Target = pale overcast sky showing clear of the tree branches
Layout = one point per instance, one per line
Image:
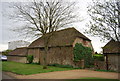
(6, 24)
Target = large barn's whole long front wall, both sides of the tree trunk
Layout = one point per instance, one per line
(56, 55)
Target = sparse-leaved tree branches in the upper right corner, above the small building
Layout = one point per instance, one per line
(105, 19)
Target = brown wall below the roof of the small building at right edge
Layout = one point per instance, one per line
(113, 61)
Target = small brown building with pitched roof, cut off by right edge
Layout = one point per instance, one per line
(112, 53)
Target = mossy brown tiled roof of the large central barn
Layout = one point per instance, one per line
(60, 38)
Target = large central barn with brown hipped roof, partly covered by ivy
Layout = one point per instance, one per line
(61, 45)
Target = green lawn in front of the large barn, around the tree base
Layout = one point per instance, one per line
(26, 69)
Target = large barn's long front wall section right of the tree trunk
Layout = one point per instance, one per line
(61, 55)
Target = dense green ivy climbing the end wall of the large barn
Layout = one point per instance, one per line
(81, 52)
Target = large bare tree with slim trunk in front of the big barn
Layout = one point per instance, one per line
(45, 17)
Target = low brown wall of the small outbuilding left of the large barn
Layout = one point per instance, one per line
(17, 59)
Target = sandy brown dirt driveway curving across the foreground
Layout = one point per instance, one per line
(71, 74)
